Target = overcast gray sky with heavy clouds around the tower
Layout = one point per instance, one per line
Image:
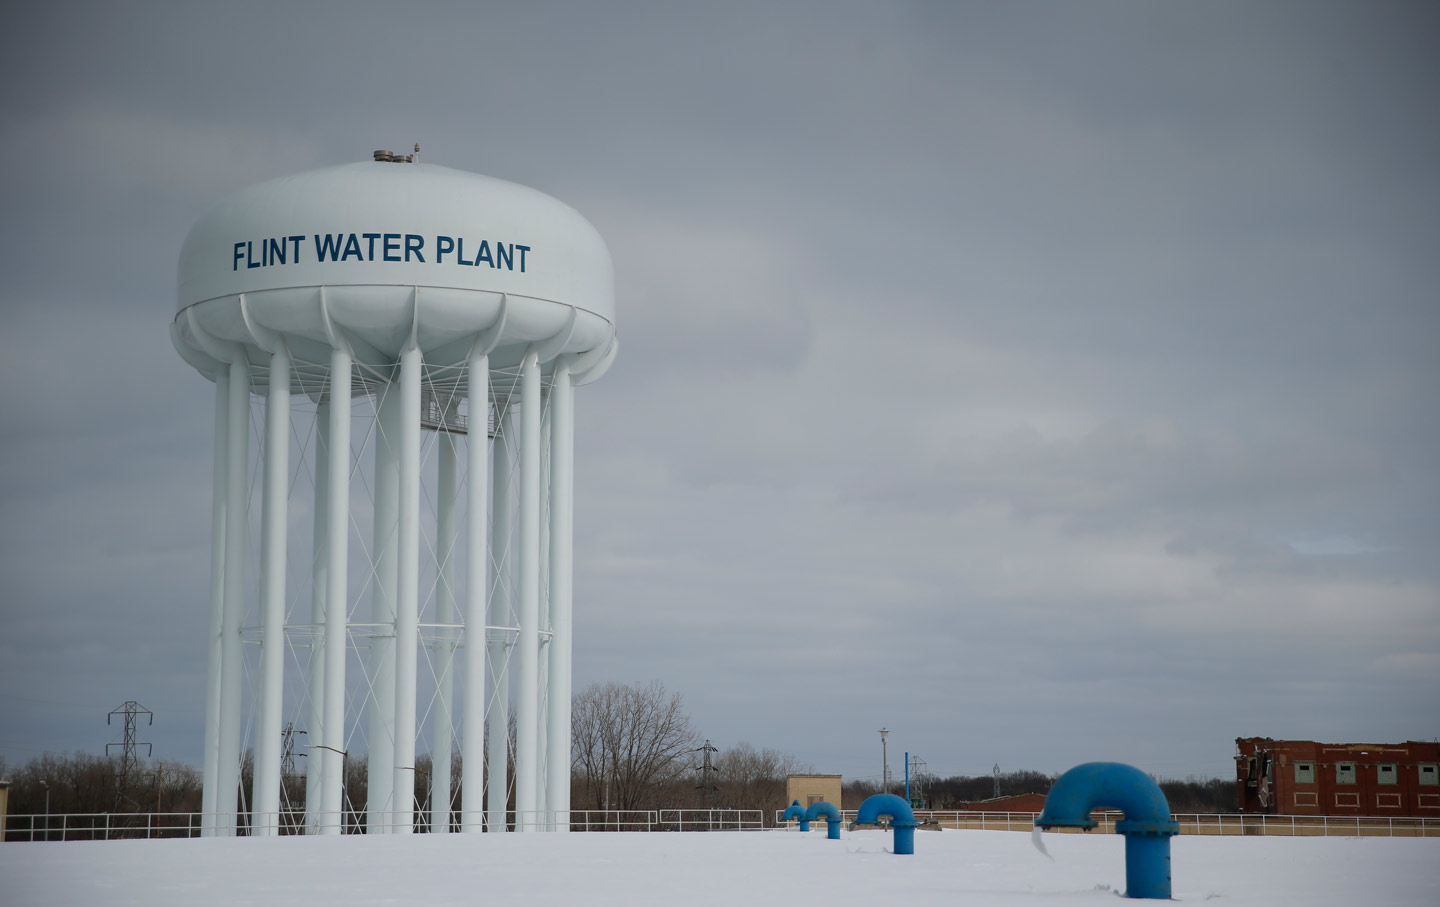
(1043, 382)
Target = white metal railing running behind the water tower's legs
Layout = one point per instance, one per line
(126, 826)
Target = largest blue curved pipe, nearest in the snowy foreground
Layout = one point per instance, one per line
(1147, 827)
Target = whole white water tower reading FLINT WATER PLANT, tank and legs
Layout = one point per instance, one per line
(411, 338)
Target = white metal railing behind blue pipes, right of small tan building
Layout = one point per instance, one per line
(1194, 824)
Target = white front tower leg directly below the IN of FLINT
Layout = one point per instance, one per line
(270, 722)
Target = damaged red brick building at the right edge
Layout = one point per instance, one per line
(1337, 780)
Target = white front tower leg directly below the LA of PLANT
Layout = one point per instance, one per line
(477, 559)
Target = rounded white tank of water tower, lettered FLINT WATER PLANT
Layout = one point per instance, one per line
(395, 253)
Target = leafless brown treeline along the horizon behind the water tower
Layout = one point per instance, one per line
(633, 749)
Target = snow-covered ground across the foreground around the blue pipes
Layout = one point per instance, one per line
(732, 869)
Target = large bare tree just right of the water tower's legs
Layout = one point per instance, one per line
(630, 744)
